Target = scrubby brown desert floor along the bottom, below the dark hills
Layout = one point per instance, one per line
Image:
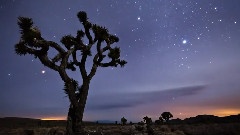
(111, 129)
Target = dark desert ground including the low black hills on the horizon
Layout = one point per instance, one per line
(200, 125)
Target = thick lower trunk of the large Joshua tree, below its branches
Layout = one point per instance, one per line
(75, 113)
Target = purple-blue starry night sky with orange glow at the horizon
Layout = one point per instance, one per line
(183, 57)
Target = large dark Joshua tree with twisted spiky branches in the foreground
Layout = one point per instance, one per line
(72, 55)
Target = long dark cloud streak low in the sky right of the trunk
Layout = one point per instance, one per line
(124, 100)
